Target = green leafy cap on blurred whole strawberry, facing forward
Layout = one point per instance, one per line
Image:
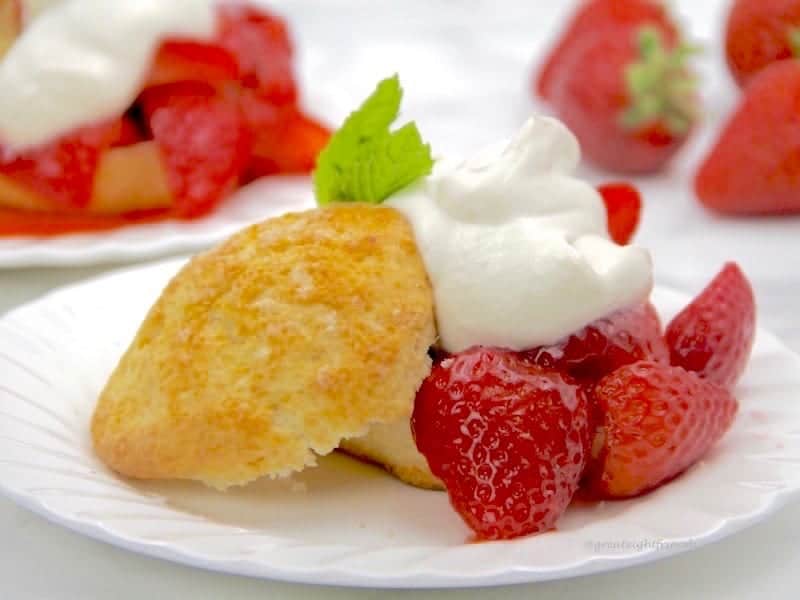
(660, 86)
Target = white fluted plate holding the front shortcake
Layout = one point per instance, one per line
(344, 522)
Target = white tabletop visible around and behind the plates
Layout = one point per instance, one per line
(465, 66)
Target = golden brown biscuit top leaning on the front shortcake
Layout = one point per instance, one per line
(270, 349)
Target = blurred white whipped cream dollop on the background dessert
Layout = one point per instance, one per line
(83, 61)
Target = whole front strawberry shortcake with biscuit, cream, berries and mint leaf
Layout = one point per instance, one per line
(470, 325)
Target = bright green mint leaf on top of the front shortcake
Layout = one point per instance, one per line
(367, 162)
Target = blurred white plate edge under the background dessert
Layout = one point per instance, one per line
(262, 199)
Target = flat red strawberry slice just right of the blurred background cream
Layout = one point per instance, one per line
(192, 61)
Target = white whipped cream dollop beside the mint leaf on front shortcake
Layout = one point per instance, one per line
(516, 248)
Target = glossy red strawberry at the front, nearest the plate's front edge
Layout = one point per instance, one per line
(507, 438)
